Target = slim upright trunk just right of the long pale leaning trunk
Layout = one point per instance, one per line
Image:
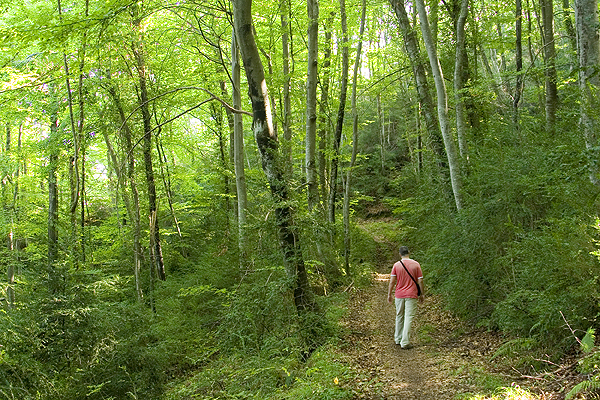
(459, 72)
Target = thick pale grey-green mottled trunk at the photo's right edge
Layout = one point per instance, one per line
(588, 52)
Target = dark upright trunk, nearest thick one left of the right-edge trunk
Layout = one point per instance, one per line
(549, 65)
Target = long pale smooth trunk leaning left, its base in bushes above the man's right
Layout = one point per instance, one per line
(453, 160)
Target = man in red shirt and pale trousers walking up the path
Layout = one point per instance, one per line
(406, 286)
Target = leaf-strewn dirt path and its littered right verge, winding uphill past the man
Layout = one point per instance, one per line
(452, 358)
